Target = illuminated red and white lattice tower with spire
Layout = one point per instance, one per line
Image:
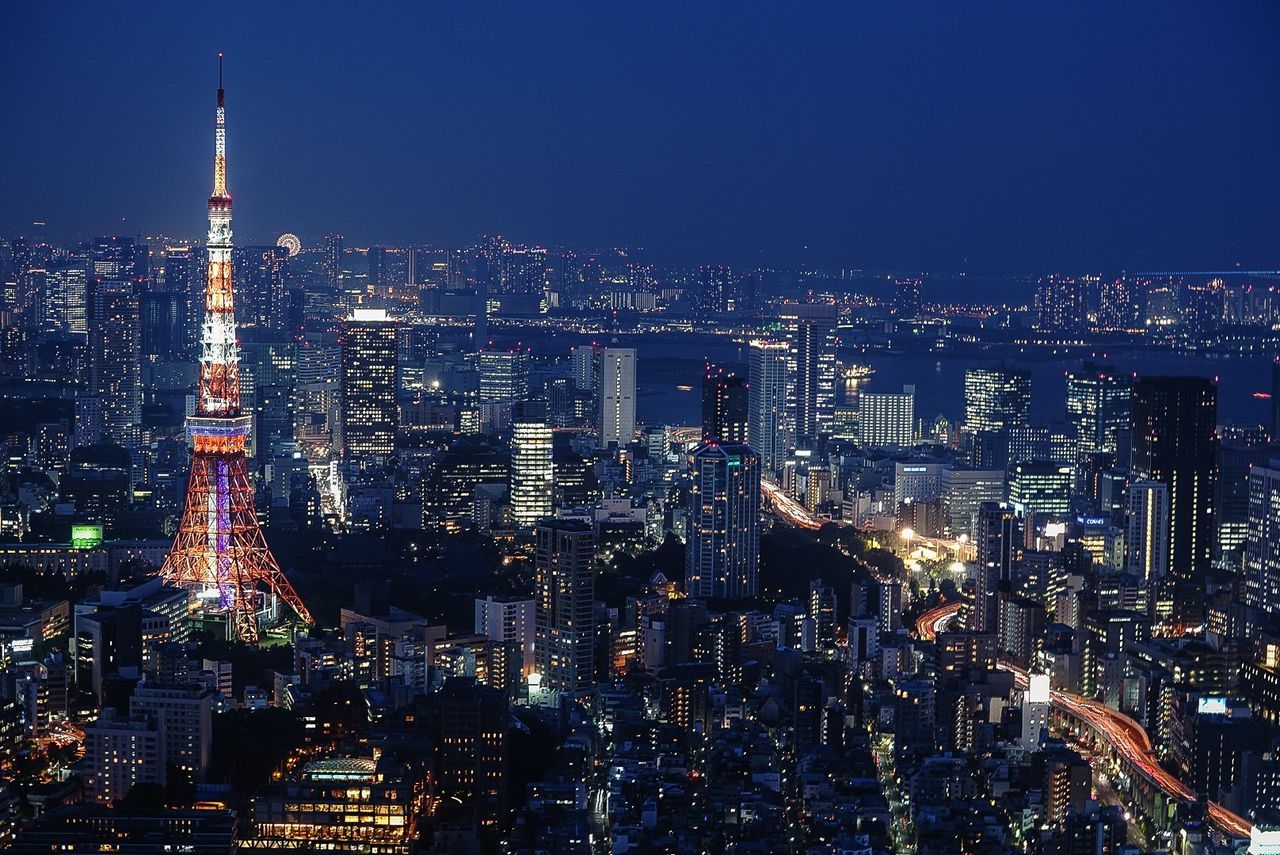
(220, 551)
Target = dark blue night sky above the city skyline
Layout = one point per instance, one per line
(947, 136)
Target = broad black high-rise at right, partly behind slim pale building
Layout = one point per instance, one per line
(1176, 443)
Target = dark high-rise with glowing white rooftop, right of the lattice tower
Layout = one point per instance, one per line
(369, 368)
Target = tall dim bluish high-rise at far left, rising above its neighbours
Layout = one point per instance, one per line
(115, 358)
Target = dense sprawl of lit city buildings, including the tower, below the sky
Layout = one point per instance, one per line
(813, 623)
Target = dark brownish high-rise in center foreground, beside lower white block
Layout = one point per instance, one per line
(565, 589)
